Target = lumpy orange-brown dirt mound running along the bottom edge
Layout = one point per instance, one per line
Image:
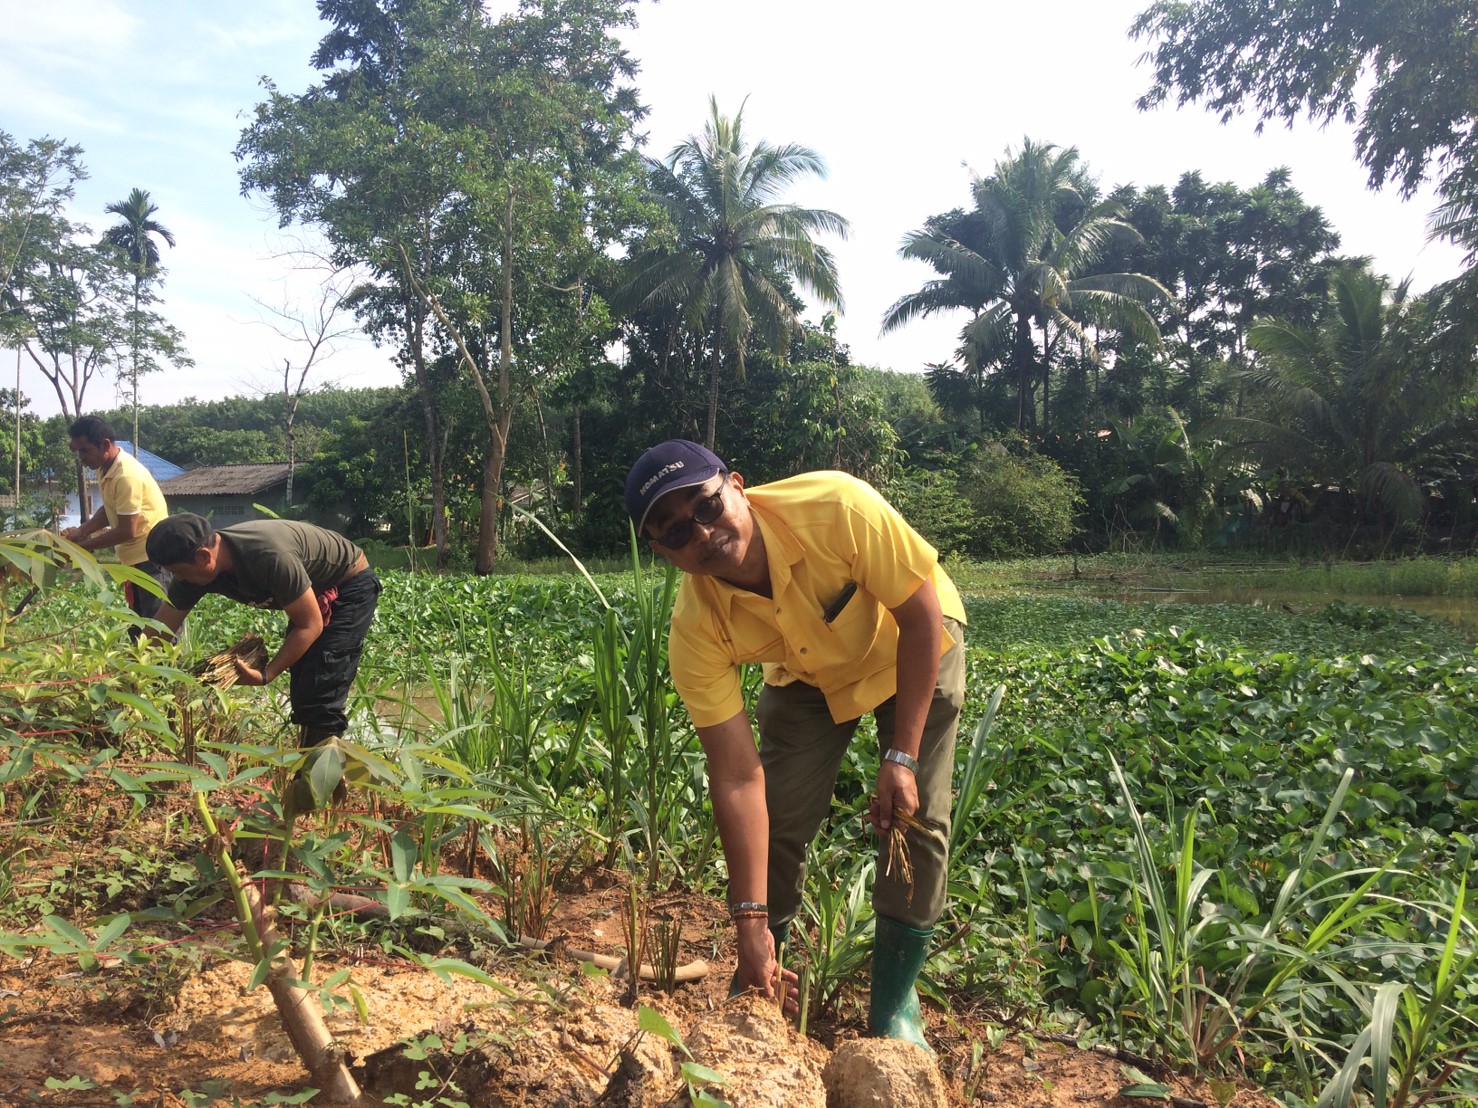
(540, 1036)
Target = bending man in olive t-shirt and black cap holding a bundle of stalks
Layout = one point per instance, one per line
(317, 577)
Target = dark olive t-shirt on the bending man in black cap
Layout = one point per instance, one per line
(274, 562)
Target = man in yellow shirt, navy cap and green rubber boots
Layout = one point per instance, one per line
(821, 581)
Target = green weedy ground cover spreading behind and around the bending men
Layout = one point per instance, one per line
(1149, 847)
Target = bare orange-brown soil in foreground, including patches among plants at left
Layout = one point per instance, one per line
(187, 1032)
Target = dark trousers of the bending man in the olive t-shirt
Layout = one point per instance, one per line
(323, 677)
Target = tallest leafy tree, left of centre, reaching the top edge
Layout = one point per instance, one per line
(478, 169)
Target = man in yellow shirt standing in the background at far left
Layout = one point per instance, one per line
(132, 505)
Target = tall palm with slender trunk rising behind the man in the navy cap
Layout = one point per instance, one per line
(737, 247)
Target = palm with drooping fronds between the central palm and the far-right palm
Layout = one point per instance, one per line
(1016, 259)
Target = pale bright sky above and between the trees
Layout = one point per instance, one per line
(902, 101)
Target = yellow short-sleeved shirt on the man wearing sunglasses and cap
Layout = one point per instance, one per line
(823, 531)
